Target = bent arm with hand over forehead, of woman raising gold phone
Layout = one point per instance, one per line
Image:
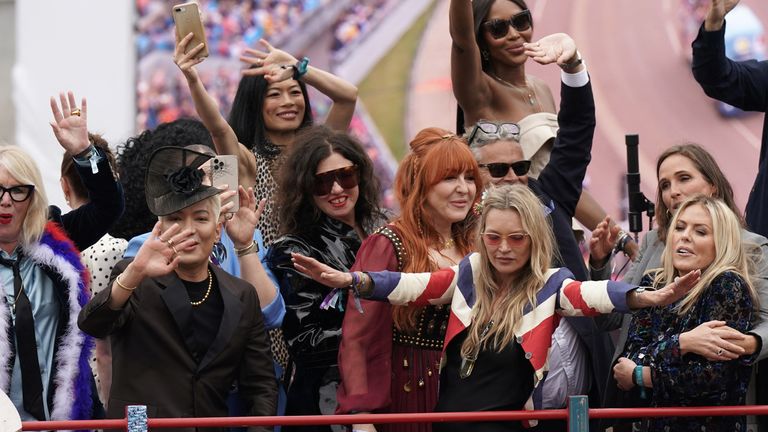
(270, 64)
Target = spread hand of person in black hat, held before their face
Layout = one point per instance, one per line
(159, 255)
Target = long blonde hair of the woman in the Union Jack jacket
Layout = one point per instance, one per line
(504, 303)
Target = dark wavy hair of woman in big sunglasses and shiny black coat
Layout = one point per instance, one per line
(298, 212)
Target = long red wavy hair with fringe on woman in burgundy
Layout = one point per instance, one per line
(435, 155)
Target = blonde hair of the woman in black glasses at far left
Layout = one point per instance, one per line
(23, 169)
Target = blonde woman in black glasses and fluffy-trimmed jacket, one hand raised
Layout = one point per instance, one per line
(44, 283)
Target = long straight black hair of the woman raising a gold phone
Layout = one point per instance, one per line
(246, 116)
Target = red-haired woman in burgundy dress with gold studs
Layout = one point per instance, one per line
(389, 356)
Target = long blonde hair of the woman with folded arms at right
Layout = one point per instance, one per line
(730, 253)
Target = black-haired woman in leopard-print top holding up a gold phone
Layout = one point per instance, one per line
(270, 106)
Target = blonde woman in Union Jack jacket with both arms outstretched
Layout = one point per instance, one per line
(505, 303)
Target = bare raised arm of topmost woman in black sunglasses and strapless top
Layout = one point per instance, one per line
(470, 87)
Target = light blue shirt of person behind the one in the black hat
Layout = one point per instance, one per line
(273, 312)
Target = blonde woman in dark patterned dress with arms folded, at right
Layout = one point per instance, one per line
(705, 234)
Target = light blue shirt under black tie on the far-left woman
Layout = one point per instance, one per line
(45, 311)
